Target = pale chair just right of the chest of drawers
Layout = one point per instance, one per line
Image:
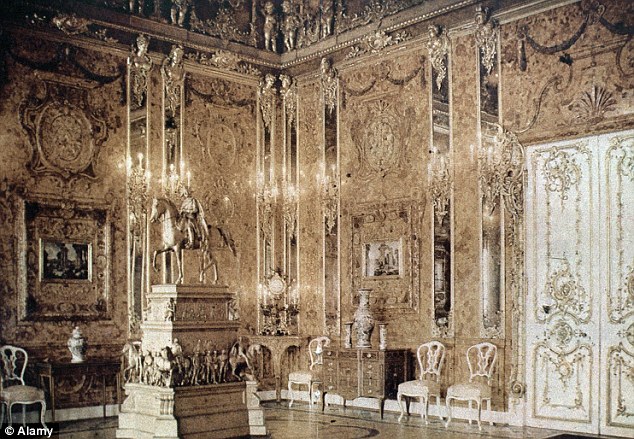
(431, 357)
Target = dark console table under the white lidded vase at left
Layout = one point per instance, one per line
(98, 368)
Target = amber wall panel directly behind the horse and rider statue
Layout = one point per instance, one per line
(220, 151)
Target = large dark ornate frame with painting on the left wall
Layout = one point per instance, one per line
(65, 263)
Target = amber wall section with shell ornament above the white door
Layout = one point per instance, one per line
(573, 92)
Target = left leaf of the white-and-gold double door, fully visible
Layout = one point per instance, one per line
(562, 309)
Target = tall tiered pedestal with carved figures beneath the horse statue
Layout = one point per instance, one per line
(175, 398)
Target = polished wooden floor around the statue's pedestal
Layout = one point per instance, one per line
(301, 422)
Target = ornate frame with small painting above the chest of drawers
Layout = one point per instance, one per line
(377, 231)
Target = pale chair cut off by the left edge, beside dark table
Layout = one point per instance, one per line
(13, 361)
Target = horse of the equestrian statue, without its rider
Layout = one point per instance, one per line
(175, 239)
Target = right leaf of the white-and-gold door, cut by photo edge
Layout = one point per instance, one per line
(617, 350)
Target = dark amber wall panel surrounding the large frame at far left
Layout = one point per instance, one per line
(63, 140)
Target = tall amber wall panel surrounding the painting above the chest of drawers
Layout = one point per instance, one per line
(383, 156)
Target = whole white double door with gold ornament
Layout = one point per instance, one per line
(580, 279)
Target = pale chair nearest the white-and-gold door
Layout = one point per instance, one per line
(484, 355)
